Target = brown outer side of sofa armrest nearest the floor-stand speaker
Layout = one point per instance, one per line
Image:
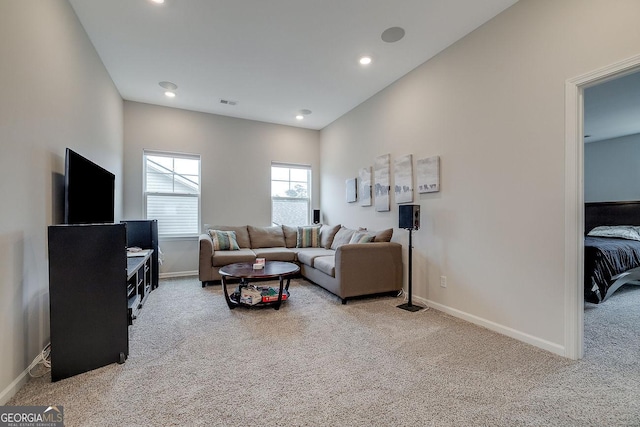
(368, 268)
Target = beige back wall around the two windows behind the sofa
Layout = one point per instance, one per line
(236, 158)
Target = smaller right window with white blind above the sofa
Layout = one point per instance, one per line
(290, 194)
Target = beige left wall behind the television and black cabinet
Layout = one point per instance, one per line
(56, 93)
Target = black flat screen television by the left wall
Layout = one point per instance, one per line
(89, 191)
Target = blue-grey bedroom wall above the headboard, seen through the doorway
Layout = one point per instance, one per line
(612, 169)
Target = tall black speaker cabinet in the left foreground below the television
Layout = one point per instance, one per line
(87, 297)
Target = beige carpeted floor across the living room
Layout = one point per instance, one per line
(317, 362)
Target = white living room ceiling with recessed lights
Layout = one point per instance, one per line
(272, 57)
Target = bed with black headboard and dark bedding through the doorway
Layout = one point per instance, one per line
(610, 262)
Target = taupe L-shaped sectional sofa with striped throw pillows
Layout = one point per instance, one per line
(346, 262)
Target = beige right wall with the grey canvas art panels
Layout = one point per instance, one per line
(492, 107)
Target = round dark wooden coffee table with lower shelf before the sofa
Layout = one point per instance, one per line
(245, 271)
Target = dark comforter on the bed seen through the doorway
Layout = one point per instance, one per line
(604, 258)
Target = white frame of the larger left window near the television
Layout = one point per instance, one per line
(173, 155)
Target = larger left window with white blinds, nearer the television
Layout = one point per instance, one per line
(172, 192)
